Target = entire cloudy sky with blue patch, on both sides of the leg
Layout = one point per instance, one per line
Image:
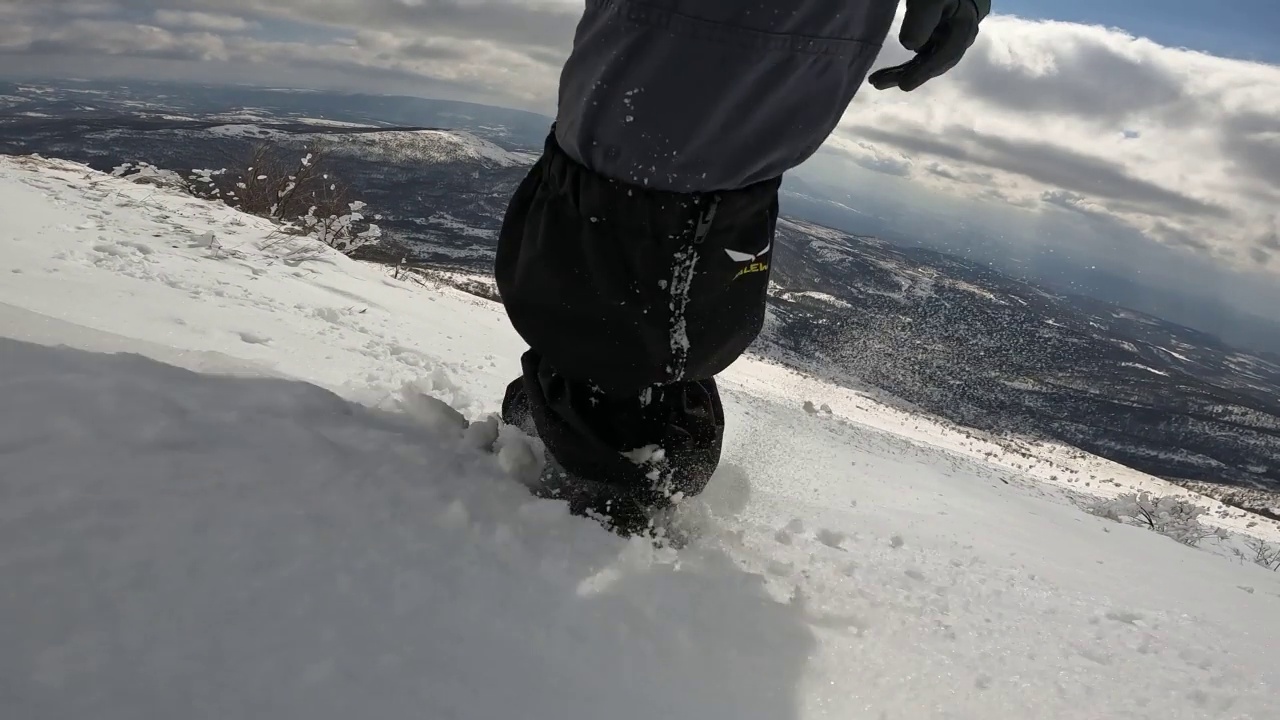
(1153, 120)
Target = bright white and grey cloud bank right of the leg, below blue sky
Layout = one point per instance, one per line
(1181, 145)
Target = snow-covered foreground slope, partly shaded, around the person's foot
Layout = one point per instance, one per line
(231, 487)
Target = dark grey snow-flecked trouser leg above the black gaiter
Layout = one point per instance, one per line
(707, 95)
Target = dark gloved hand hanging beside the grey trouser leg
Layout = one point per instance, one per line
(939, 33)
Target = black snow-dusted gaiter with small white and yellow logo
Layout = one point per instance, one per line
(632, 302)
